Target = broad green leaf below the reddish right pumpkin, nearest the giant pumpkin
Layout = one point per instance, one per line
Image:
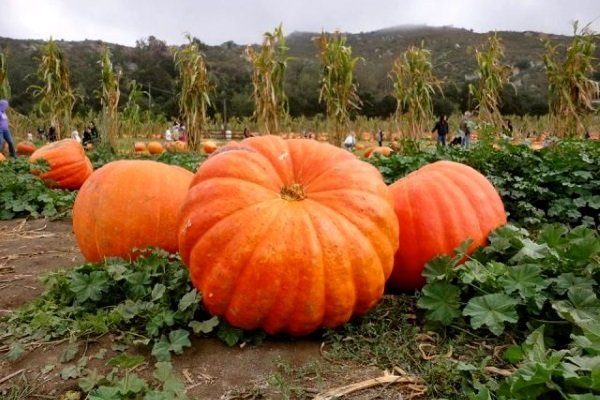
(441, 300)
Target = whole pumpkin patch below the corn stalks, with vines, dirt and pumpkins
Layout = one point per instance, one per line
(516, 318)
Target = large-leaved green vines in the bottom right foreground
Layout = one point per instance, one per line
(542, 292)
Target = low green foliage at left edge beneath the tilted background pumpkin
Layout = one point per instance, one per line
(23, 194)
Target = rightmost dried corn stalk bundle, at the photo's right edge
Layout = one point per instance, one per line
(570, 88)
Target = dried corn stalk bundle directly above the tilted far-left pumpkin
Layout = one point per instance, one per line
(56, 98)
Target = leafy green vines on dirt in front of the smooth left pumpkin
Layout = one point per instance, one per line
(149, 301)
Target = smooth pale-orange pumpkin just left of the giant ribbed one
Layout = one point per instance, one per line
(129, 204)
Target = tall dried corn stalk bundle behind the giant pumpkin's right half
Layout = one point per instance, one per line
(338, 88)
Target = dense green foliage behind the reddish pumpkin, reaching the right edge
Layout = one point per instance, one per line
(556, 184)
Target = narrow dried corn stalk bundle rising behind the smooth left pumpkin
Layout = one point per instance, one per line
(110, 98)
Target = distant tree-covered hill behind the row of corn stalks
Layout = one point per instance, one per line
(150, 62)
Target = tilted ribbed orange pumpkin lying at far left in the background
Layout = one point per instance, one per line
(69, 167)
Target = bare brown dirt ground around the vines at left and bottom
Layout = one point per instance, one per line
(211, 370)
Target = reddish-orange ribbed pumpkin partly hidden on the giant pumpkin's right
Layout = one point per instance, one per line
(438, 207)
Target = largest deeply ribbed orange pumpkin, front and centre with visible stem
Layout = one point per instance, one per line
(288, 235)
